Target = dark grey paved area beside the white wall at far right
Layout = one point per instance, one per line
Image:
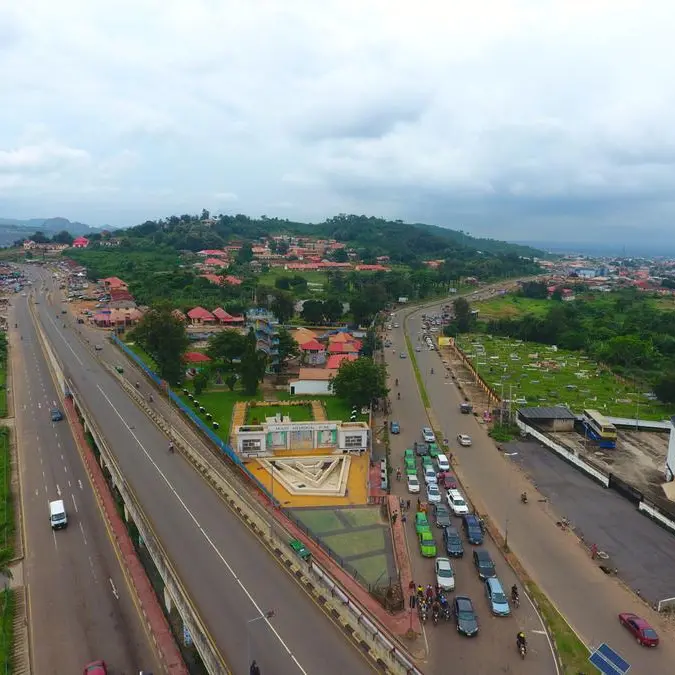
(642, 551)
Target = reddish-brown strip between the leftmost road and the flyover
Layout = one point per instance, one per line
(136, 577)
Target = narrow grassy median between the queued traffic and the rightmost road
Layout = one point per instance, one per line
(492, 531)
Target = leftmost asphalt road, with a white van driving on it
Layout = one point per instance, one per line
(75, 617)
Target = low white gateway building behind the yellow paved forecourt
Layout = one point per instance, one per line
(275, 435)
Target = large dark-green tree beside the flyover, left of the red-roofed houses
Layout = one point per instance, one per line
(164, 337)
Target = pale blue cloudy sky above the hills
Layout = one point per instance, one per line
(539, 120)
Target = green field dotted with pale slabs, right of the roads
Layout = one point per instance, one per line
(544, 376)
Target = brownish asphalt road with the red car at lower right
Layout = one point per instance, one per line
(588, 598)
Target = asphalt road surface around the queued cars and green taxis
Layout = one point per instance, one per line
(446, 647)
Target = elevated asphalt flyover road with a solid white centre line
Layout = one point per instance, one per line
(229, 575)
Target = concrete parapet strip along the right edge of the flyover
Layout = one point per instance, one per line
(363, 629)
